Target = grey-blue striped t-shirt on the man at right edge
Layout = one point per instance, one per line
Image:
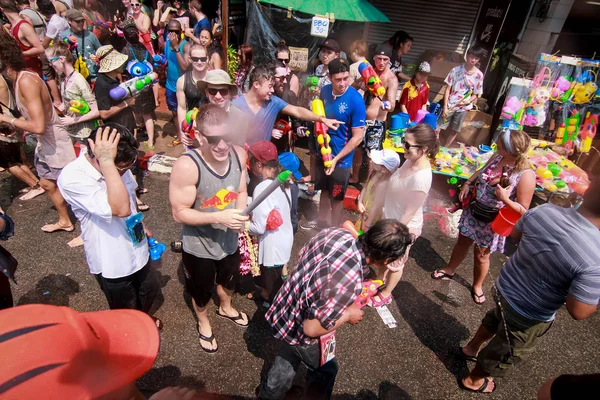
(558, 256)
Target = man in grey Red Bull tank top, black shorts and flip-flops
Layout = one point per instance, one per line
(207, 193)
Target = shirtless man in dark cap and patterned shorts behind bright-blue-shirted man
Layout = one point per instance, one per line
(377, 108)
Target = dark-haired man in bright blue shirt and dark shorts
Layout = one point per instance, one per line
(342, 102)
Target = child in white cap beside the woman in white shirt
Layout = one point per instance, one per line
(383, 164)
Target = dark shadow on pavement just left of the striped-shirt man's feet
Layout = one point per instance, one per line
(439, 331)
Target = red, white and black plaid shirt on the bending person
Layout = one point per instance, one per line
(326, 281)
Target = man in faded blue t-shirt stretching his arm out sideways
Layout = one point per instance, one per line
(257, 110)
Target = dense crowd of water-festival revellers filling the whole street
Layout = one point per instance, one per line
(60, 67)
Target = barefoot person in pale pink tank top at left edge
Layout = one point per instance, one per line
(54, 149)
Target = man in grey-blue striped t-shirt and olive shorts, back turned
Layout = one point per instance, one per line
(557, 262)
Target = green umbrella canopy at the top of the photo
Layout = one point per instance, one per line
(347, 10)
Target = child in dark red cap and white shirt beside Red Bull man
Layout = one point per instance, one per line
(271, 220)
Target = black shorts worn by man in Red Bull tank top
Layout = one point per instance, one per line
(202, 273)
